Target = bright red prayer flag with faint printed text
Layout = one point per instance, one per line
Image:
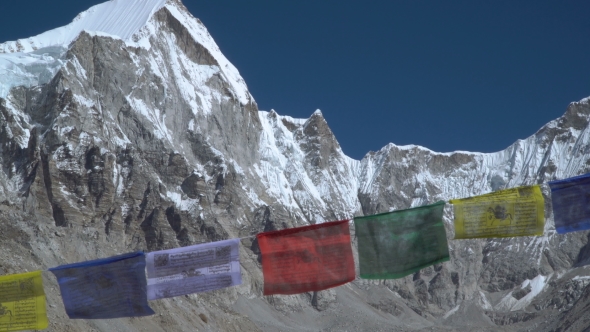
(305, 259)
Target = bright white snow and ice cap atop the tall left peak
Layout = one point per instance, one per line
(135, 22)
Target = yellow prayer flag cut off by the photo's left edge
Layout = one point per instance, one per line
(22, 302)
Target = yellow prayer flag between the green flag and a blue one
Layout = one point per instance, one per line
(512, 212)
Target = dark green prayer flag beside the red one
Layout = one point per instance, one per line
(395, 244)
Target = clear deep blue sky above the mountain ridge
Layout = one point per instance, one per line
(449, 75)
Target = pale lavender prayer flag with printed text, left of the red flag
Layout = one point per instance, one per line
(193, 269)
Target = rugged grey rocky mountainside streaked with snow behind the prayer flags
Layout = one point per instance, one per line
(152, 141)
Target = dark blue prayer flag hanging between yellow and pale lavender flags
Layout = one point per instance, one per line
(105, 288)
